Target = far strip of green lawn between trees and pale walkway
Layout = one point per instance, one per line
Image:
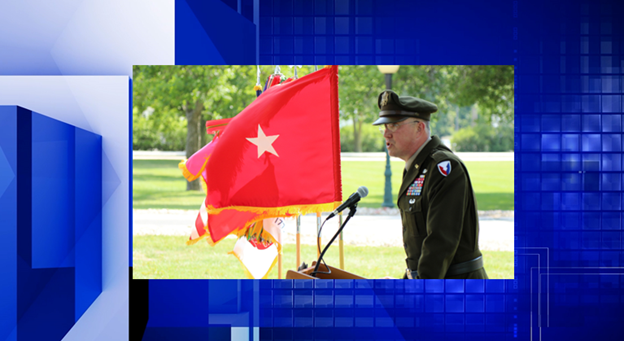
(160, 184)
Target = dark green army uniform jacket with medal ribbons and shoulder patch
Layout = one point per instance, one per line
(439, 214)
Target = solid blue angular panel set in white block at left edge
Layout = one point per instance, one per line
(51, 223)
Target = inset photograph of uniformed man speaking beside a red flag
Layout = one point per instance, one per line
(331, 172)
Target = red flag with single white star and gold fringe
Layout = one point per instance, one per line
(278, 157)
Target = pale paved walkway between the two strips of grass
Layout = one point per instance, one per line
(367, 227)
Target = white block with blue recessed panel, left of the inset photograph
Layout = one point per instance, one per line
(67, 286)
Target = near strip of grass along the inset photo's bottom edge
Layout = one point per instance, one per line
(168, 257)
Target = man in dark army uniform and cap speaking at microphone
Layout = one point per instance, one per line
(436, 200)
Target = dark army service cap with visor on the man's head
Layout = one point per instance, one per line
(394, 108)
